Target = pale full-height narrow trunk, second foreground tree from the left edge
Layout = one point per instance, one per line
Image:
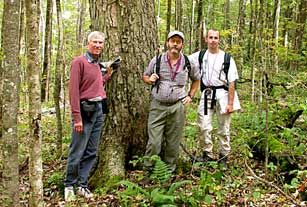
(35, 115)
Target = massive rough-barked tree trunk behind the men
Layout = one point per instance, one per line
(130, 27)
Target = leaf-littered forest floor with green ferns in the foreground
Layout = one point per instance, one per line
(198, 184)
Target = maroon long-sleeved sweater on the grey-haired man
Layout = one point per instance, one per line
(86, 82)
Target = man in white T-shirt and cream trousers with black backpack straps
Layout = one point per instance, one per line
(218, 97)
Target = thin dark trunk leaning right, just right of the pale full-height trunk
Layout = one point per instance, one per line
(47, 51)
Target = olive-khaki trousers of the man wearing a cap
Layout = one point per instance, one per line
(165, 127)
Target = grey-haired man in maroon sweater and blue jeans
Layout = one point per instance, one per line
(86, 92)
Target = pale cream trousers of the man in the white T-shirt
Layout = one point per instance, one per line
(205, 123)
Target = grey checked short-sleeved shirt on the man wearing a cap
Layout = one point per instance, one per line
(172, 87)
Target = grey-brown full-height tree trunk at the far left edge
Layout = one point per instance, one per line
(9, 195)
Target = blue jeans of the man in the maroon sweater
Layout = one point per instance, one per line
(83, 148)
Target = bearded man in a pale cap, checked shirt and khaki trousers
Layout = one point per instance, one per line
(168, 100)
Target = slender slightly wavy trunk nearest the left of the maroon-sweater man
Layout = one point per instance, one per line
(58, 79)
